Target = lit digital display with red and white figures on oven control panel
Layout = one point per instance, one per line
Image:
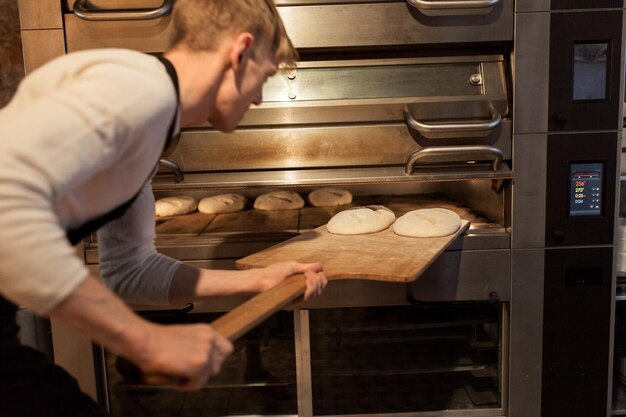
(585, 195)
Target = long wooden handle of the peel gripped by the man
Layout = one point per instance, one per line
(240, 320)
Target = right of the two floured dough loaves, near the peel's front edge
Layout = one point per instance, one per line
(433, 222)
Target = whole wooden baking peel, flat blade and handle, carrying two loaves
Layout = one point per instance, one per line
(382, 256)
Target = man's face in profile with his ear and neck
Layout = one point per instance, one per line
(240, 89)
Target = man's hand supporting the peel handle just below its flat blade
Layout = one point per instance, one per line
(271, 275)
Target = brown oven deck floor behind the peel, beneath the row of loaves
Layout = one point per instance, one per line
(199, 236)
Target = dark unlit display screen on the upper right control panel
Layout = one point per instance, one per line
(590, 68)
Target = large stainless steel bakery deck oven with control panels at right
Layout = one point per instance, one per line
(504, 112)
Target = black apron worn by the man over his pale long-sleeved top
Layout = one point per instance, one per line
(30, 386)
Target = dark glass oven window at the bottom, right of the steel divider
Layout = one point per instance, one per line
(405, 359)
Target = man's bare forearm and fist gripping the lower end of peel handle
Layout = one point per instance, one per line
(188, 353)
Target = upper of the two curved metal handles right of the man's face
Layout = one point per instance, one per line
(449, 130)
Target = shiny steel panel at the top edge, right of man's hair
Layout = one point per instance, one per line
(353, 26)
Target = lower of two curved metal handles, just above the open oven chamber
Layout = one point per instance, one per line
(455, 154)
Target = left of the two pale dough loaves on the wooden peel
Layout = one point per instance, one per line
(361, 220)
